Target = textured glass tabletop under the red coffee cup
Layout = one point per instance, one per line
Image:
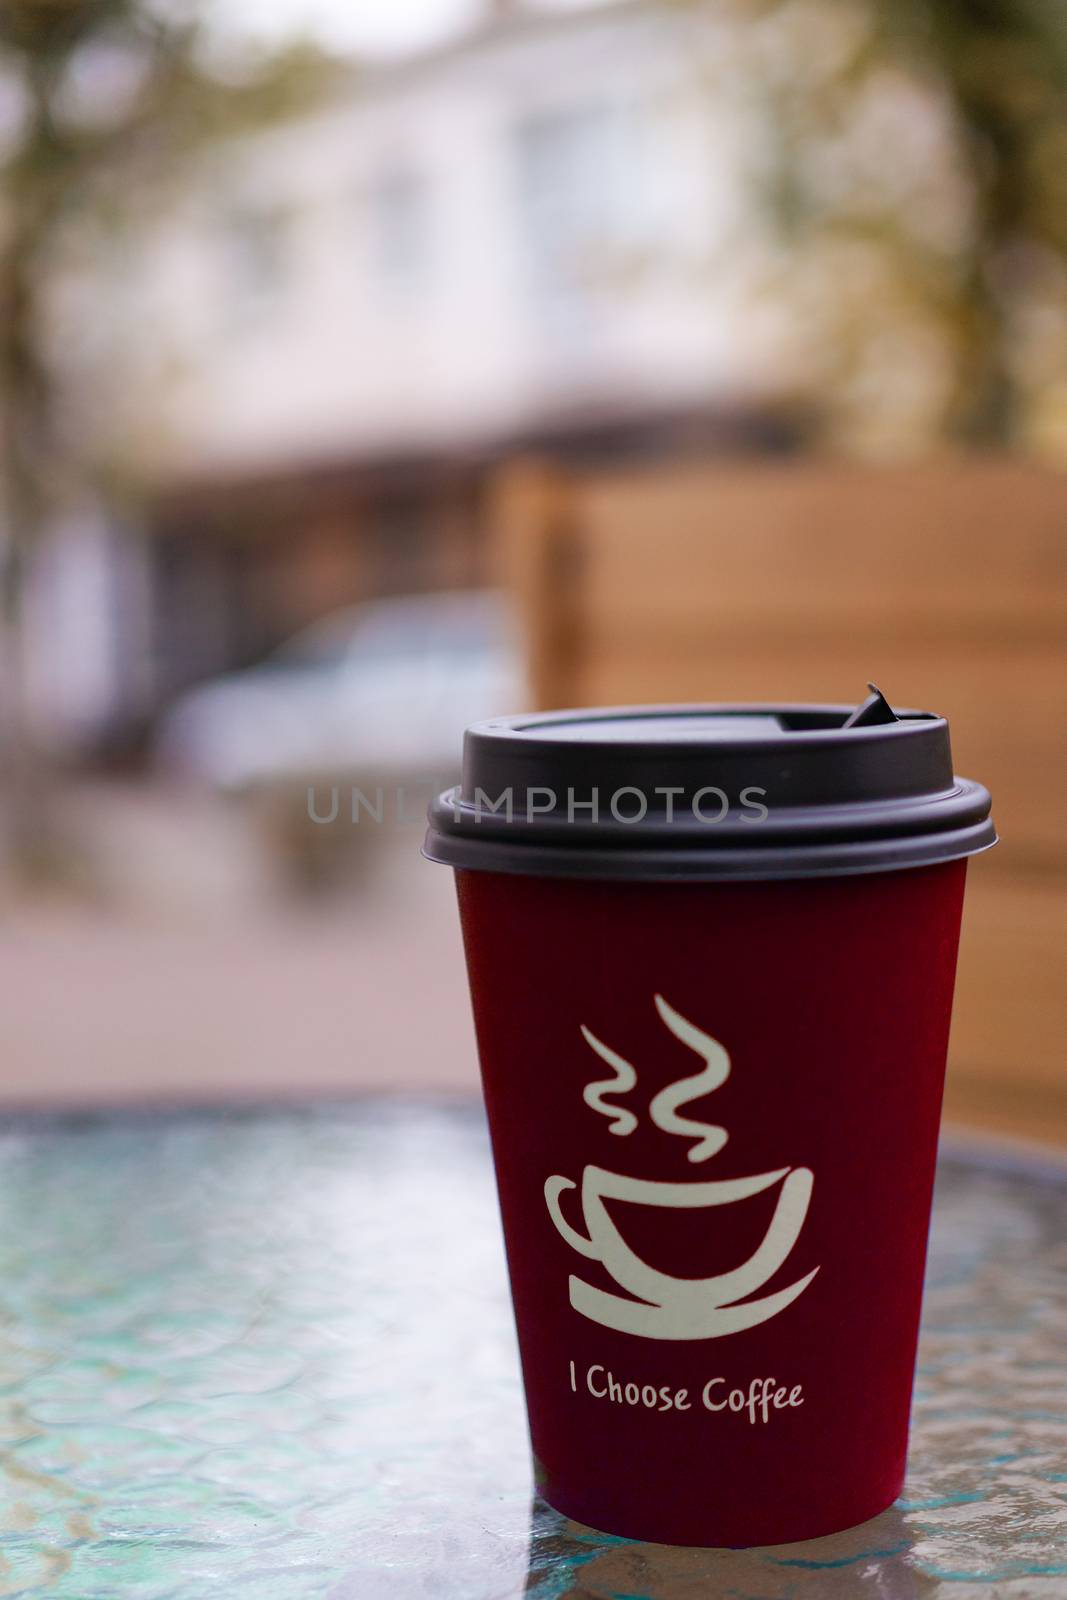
(271, 1354)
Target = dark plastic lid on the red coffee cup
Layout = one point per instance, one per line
(705, 793)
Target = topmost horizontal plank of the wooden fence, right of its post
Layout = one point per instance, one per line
(938, 551)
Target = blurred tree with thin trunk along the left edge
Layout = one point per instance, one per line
(103, 103)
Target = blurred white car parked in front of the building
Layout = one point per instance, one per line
(383, 689)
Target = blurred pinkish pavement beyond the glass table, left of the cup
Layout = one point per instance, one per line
(196, 982)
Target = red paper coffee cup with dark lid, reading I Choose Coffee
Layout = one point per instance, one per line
(711, 956)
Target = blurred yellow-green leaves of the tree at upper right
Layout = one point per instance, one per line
(996, 74)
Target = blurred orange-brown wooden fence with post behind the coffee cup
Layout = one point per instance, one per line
(946, 585)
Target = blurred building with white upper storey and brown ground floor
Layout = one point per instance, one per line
(529, 241)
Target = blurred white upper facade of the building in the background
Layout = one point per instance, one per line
(548, 217)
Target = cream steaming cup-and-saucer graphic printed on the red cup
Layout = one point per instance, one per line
(657, 1305)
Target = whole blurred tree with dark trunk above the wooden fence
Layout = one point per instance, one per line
(919, 185)
